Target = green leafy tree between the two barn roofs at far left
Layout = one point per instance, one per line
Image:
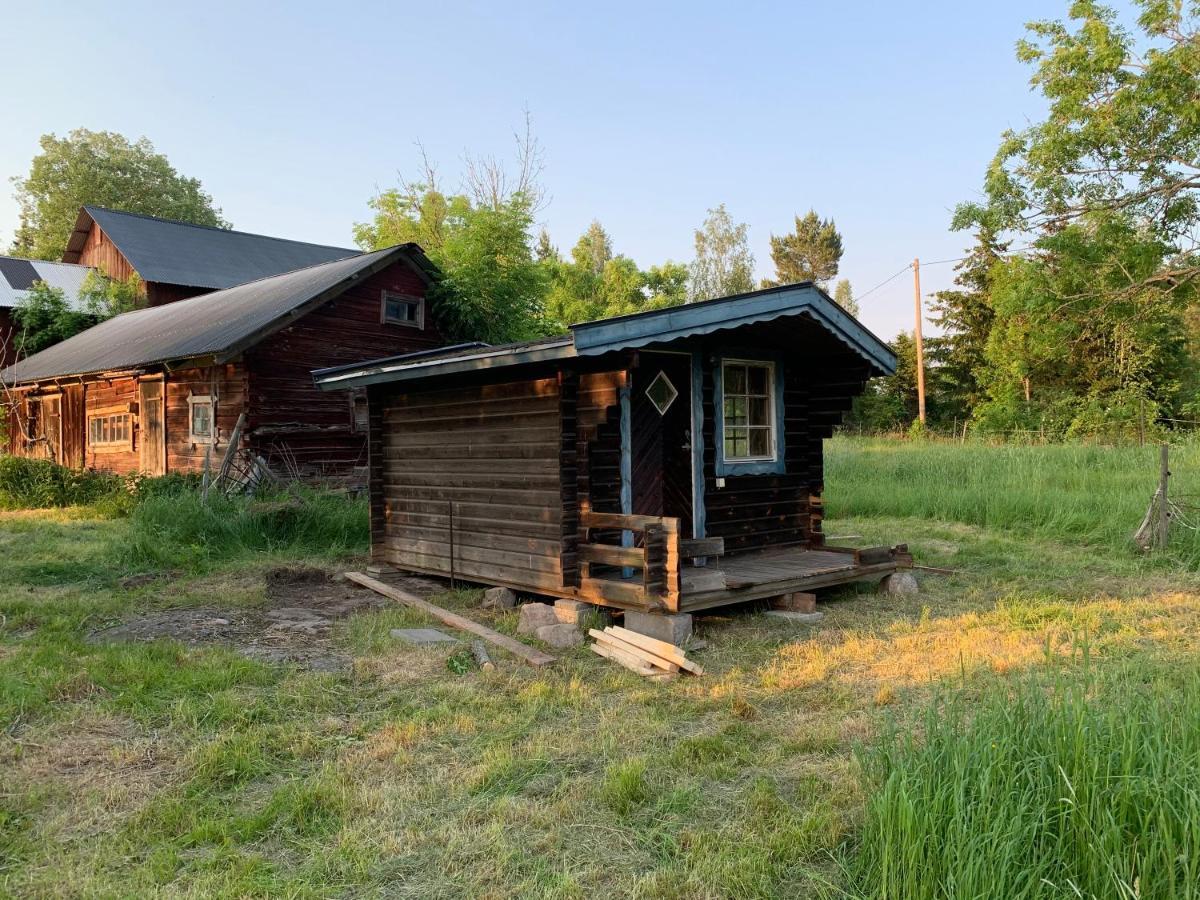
(46, 317)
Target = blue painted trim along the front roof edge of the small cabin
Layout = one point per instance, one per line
(692, 320)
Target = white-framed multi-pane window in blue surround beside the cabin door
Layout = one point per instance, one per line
(748, 411)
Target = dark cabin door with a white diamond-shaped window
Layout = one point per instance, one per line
(661, 437)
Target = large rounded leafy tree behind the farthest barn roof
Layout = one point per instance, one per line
(101, 169)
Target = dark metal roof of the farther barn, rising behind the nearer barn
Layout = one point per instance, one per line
(197, 256)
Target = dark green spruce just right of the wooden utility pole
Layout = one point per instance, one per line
(965, 316)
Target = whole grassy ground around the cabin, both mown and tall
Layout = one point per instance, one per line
(1028, 724)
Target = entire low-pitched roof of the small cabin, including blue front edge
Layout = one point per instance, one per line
(623, 333)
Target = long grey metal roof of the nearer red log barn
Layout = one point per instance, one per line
(221, 325)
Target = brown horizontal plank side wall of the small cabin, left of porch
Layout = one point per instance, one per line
(494, 453)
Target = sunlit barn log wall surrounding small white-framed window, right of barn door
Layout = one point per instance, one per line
(227, 386)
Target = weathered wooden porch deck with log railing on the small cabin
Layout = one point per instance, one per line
(641, 563)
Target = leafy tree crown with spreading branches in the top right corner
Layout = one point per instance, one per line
(1121, 136)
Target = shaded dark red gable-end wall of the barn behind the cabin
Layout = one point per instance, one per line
(296, 427)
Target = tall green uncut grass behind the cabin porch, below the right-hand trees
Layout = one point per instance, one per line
(1081, 493)
